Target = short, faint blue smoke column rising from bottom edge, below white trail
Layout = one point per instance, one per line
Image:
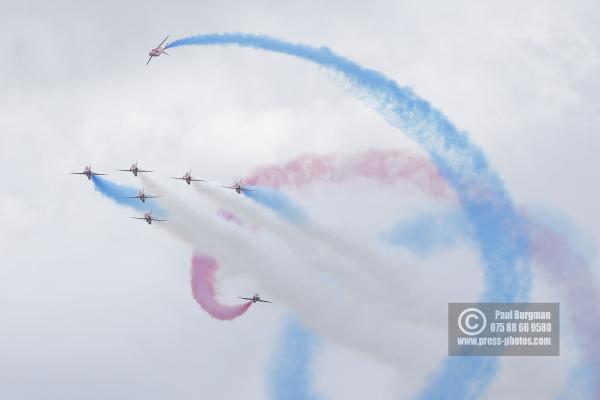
(290, 370)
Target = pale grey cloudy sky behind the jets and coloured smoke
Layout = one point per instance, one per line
(95, 305)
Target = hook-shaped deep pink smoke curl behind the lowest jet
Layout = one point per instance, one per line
(203, 289)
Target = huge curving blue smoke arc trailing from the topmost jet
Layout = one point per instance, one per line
(499, 231)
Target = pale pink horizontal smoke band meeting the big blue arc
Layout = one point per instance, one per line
(384, 166)
